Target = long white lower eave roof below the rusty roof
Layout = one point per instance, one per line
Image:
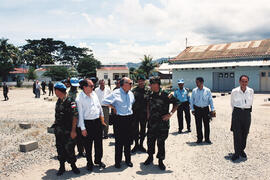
(215, 64)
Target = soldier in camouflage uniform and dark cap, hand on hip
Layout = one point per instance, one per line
(158, 120)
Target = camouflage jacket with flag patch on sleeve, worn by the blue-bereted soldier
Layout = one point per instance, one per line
(65, 110)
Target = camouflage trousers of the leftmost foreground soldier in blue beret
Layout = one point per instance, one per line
(65, 145)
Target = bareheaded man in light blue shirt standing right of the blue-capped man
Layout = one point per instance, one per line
(200, 100)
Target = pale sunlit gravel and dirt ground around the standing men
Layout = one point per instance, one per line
(184, 158)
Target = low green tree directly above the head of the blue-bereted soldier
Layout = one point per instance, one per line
(57, 73)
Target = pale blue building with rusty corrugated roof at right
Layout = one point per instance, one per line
(221, 65)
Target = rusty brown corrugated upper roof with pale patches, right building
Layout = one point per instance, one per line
(258, 48)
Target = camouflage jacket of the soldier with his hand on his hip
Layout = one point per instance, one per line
(159, 106)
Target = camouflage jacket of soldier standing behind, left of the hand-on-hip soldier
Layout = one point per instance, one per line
(141, 96)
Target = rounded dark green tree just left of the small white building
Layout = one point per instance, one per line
(87, 66)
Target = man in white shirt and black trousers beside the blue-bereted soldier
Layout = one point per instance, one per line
(91, 119)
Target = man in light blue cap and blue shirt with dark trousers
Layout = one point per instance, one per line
(182, 95)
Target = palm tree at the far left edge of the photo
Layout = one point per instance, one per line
(9, 57)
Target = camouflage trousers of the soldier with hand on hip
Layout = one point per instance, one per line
(159, 135)
